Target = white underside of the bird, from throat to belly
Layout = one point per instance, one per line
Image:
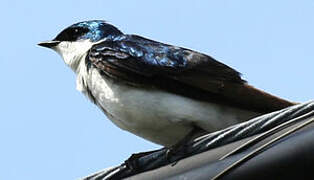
(155, 115)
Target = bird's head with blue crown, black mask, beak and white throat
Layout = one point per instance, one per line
(74, 41)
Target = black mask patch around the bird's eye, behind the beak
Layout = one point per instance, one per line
(71, 34)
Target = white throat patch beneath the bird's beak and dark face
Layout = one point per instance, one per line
(73, 52)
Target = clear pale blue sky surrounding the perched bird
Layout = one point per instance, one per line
(50, 131)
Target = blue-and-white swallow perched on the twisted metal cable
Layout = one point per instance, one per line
(160, 92)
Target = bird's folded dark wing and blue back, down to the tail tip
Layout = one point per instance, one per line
(141, 61)
